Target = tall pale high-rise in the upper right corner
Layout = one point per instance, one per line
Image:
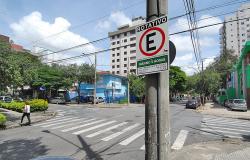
(233, 35)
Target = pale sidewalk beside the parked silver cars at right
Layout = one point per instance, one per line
(218, 110)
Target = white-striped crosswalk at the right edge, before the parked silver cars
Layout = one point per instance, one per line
(225, 127)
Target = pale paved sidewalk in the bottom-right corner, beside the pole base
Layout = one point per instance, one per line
(217, 150)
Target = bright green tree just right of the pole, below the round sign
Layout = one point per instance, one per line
(177, 80)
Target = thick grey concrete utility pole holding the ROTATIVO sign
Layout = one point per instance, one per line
(157, 125)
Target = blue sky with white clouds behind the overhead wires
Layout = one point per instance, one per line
(59, 24)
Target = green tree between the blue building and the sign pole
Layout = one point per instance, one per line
(136, 85)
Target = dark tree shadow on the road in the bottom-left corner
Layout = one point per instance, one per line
(21, 149)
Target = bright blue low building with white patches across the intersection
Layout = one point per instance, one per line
(110, 87)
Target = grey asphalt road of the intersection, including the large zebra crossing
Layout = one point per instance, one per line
(97, 133)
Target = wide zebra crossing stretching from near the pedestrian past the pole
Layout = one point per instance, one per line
(109, 129)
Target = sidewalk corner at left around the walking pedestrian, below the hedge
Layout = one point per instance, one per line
(14, 118)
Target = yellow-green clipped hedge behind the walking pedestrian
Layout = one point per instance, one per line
(35, 105)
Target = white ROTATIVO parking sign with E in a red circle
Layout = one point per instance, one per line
(152, 47)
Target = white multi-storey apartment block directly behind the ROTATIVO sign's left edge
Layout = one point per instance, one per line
(123, 48)
